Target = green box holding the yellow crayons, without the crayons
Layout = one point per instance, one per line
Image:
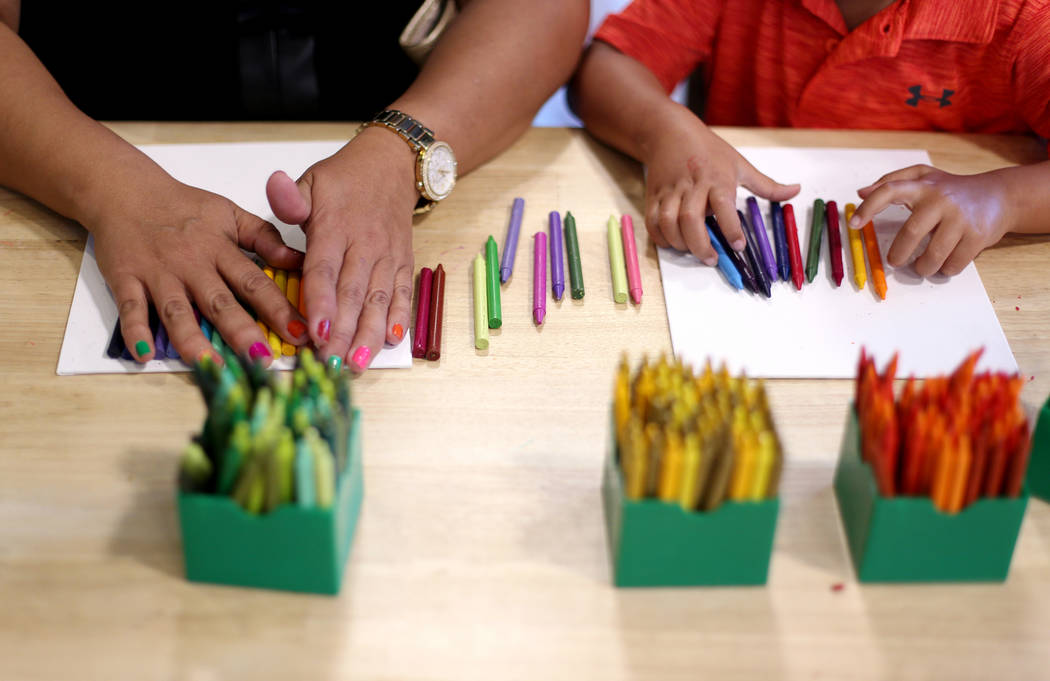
(658, 544)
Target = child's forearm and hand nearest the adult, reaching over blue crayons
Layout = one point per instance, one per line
(691, 171)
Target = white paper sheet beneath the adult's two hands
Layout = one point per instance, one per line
(238, 172)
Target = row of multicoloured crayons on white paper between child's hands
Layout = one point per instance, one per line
(757, 268)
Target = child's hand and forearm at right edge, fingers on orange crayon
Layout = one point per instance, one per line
(964, 215)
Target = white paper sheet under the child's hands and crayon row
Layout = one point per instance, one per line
(818, 332)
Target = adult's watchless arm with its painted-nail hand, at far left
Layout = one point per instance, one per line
(156, 239)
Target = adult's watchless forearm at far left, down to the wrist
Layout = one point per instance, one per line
(51, 152)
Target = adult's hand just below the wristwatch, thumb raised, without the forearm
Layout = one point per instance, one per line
(355, 208)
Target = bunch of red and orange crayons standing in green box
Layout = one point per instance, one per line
(955, 439)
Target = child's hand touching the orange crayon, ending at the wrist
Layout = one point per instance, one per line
(964, 215)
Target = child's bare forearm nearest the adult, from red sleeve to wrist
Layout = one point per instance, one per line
(622, 103)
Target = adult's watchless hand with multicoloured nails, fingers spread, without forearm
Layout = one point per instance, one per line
(180, 246)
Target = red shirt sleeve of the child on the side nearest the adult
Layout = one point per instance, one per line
(669, 37)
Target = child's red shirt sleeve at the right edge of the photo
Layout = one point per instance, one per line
(1032, 69)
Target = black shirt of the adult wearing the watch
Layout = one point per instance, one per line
(214, 61)
